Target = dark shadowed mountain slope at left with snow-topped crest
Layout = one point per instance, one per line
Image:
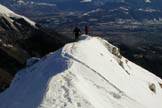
(20, 39)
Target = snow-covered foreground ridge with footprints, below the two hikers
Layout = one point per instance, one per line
(89, 73)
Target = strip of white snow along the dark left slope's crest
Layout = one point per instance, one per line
(7, 12)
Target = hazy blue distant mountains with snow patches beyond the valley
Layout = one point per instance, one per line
(136, 9)
